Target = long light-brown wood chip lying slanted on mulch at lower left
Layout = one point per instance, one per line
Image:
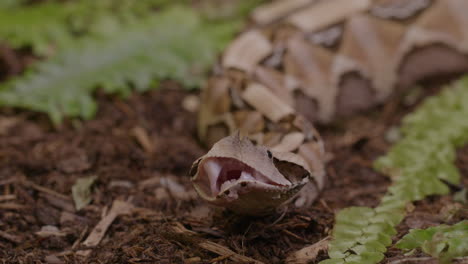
(96, 235)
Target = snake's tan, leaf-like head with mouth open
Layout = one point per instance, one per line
(247, 178)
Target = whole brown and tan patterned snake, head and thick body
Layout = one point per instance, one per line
(308, 61)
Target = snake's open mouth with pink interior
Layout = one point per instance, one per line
(223, 173)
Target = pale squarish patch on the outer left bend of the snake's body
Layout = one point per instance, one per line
(247, 51)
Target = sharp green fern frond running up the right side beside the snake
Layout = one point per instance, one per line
(418, 164)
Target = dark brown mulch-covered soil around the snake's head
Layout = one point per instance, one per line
(140, 149)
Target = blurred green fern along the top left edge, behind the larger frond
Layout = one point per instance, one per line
(55, 25)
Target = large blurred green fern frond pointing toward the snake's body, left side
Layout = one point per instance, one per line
(175, 44)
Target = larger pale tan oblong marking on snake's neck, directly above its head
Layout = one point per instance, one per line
(262, 99)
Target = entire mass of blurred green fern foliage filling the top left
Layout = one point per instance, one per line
(115, 45)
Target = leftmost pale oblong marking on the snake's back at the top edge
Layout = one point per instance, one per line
(275, 10)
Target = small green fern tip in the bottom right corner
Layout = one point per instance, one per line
(442, 242)
